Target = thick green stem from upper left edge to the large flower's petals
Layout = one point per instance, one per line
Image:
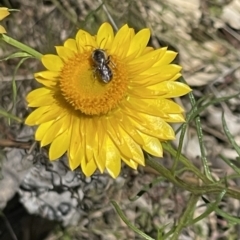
(21, 46)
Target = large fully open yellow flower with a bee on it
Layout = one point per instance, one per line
(101, 123)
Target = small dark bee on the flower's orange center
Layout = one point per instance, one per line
(101, 65)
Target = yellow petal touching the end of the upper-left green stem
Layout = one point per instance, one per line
(52, 62)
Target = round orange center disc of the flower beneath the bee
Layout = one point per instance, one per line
(83, 87)
